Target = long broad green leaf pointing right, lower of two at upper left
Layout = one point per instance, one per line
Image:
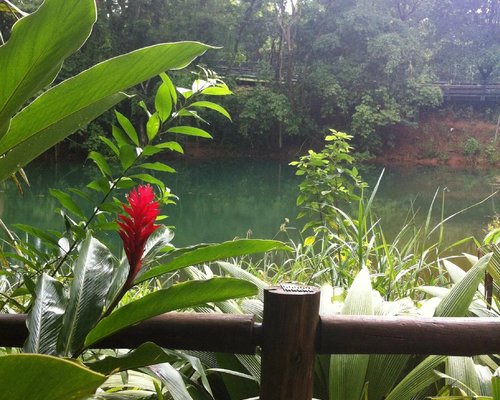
(59, 111)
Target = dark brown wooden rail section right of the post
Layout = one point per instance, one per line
(404, 335)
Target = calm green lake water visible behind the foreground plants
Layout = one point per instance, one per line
(223, 199)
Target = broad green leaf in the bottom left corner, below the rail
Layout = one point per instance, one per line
(42, 377)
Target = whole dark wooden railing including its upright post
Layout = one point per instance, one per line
(292, 333)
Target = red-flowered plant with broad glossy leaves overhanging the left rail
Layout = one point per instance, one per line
(70, 316)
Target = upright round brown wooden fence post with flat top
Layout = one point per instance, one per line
(291, 317)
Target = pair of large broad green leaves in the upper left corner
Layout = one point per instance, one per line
(31, 59)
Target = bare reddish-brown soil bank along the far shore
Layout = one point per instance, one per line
(437, 140)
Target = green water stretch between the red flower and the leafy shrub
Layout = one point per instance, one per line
(219, 201)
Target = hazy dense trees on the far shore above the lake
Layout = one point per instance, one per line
(359, 66)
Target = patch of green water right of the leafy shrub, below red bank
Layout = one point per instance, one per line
(404, 189)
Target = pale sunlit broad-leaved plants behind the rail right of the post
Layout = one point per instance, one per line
(401, 377)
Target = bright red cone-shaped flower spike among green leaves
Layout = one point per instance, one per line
(137, 226)
